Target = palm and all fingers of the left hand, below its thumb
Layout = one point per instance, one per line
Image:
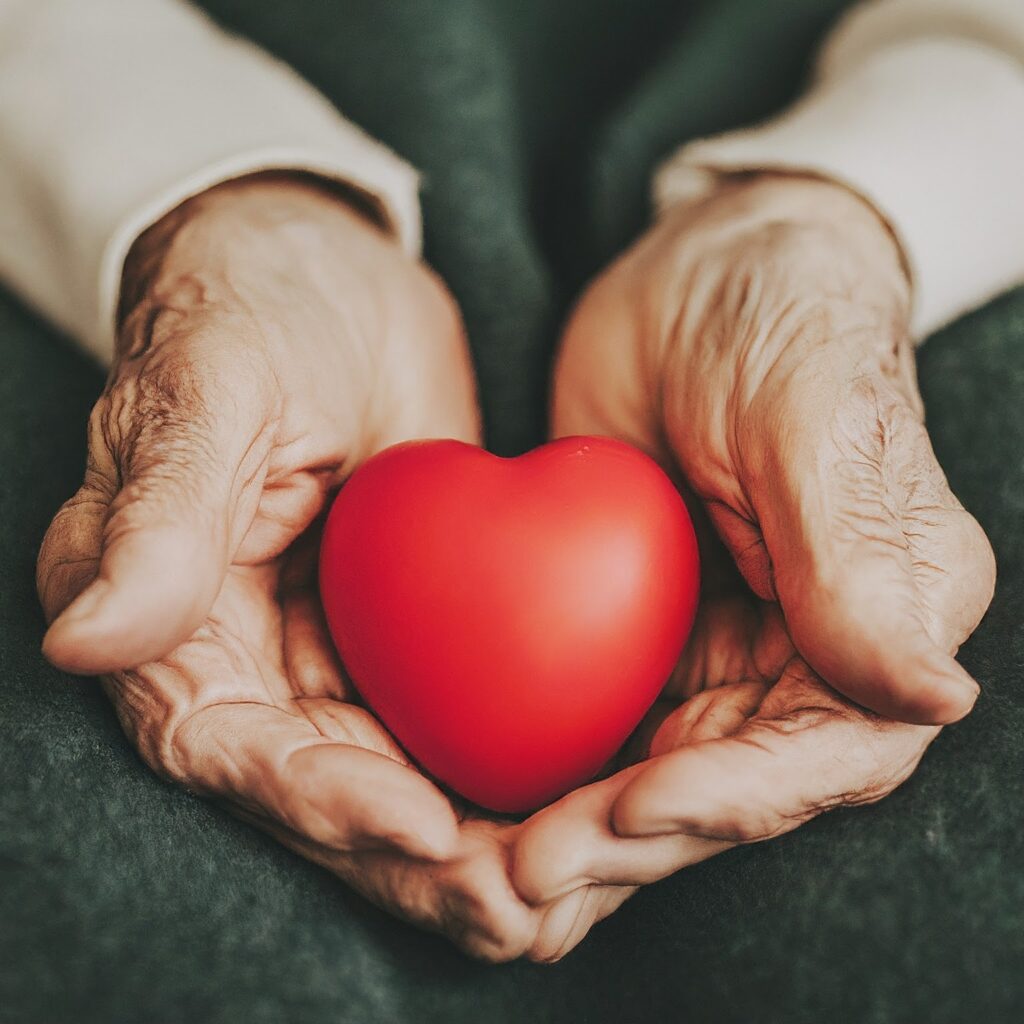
(282, 740)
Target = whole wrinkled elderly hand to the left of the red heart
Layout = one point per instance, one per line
(272, 340)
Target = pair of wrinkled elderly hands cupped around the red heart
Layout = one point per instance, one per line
(755, 343)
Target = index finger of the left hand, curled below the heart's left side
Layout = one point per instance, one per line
(342, 796)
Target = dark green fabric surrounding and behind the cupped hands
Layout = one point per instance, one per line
(123, 900)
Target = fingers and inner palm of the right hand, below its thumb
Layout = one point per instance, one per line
(745, 743)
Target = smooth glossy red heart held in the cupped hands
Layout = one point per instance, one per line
(510, 620)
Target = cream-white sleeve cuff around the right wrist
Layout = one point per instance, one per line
(919, 107)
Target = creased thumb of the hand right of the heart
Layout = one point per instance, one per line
(880, 572)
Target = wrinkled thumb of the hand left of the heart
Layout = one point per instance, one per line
(191, 462)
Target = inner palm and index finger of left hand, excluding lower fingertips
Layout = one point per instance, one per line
(261, 671)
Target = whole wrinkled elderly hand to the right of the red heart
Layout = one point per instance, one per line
(757, 345)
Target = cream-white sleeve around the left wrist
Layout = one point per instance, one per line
(114, 112)
